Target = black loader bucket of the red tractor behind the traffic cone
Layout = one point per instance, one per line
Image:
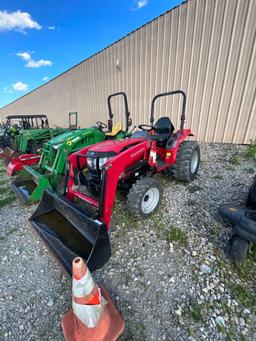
(69, 232)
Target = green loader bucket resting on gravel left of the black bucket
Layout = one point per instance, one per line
(30, 185)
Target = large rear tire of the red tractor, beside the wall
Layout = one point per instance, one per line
(183, 170)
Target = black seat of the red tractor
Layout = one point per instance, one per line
(163, 130)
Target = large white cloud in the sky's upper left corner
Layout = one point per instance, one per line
(17, 21)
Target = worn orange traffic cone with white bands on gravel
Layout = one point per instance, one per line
(94, 316)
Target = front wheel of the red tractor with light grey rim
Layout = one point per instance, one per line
(138, 197)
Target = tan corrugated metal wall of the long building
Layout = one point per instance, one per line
(204, 47)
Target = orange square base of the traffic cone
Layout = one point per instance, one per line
(109, 328)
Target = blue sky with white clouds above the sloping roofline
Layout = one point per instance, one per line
(41, 39)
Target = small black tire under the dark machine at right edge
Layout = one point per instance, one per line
(238, 249)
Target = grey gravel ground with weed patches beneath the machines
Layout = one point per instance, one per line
(169, 276)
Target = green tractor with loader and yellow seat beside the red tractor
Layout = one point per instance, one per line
(49, 173)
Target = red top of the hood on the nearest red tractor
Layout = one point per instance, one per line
(114, 145)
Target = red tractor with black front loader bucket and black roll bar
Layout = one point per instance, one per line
(78, 222)
